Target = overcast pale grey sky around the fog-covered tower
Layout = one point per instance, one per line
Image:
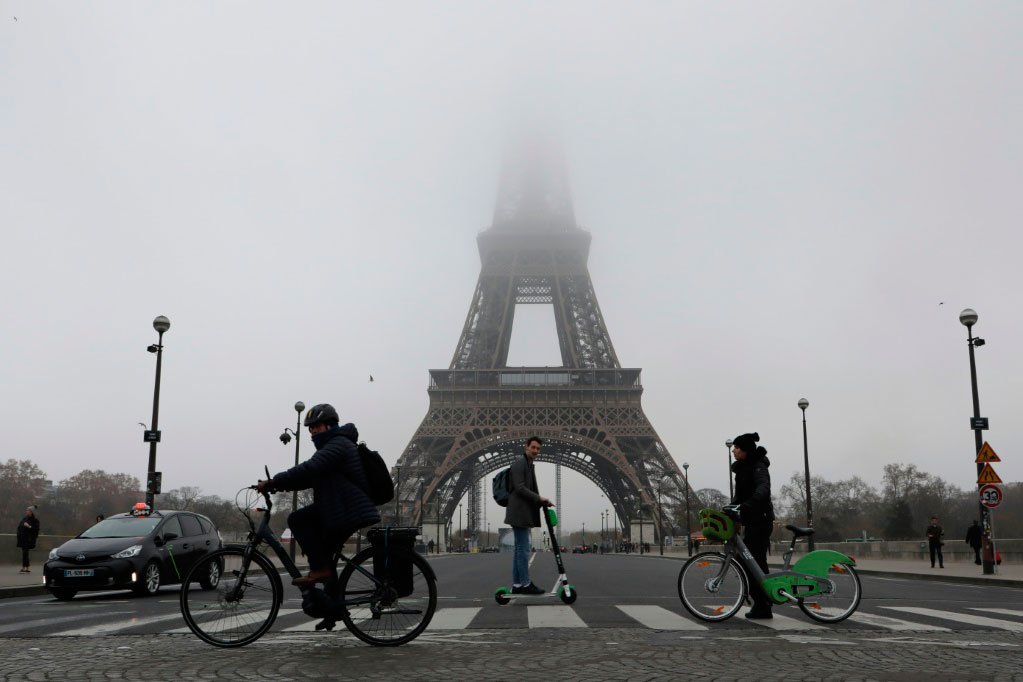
(781, 196)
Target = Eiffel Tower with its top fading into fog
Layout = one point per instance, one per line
(588, 412)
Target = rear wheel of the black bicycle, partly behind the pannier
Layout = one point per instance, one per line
(392, 612)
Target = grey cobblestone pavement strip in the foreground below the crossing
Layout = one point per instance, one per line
(486, 655)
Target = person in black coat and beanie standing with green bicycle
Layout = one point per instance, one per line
(758, 513)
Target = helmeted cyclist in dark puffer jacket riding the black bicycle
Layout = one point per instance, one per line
(340, 507)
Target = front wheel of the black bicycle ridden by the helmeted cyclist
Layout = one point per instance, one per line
(242, 607)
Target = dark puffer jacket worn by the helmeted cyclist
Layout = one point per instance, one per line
(335, 473)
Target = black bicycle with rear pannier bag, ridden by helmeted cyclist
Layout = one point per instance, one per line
(386, 595)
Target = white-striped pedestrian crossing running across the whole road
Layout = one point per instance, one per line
(911, 619)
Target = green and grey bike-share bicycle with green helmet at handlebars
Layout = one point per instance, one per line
(714, 586)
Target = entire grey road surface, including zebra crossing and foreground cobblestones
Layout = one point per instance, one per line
(628, 624)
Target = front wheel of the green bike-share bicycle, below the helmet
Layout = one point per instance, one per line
(713, 587)
